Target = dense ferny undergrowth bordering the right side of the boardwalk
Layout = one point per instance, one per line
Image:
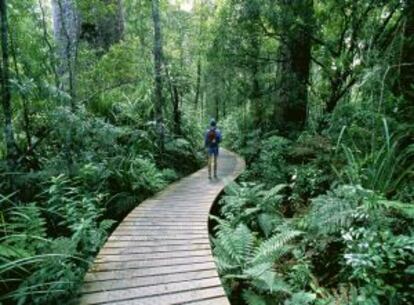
(319, 220)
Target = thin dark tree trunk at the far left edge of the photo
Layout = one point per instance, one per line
(11, 146)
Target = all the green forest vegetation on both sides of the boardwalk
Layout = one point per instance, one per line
(324, 217)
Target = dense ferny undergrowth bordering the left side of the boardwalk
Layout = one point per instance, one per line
(52, 228)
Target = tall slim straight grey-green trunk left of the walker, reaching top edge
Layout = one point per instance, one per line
(158, 56)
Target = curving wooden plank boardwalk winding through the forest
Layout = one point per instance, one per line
(160, 254)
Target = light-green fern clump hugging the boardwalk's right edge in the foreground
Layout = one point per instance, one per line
(247, 258)
